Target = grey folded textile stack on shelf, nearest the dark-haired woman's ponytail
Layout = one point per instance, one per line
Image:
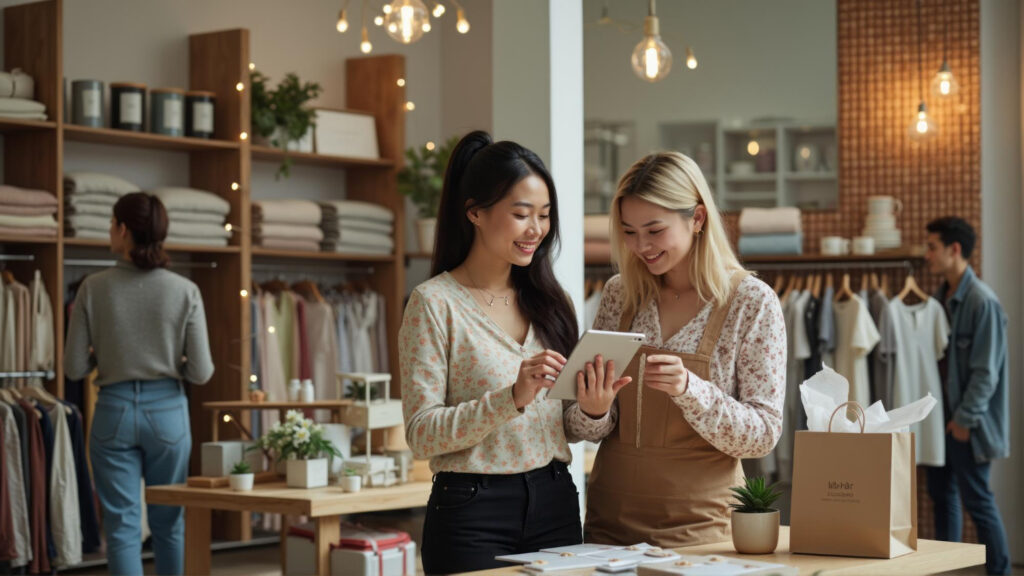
(357, 228)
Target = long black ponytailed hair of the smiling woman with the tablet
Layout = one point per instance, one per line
(480, 175)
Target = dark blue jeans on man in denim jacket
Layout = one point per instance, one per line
(962, 477)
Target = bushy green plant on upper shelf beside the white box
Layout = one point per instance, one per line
(285, 108)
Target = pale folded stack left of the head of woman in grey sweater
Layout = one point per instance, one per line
(90, 199)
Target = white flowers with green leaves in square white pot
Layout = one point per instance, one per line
(303, 445)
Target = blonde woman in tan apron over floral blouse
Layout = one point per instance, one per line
(708, 388)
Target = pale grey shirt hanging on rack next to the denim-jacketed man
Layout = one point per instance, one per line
(923, 333)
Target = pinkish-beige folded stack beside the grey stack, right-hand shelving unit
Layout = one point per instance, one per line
(287, 225)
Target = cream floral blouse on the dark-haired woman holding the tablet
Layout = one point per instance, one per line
(458, 368)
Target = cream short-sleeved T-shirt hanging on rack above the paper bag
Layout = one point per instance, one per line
(856, 337)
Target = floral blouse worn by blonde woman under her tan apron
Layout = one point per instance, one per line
(740, 409)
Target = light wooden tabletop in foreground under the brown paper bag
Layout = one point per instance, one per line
(931, 558)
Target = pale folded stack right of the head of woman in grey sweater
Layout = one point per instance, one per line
(195, 218)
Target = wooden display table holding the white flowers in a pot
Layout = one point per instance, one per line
(324, 506)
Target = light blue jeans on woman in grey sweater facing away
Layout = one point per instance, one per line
(141, 430)
